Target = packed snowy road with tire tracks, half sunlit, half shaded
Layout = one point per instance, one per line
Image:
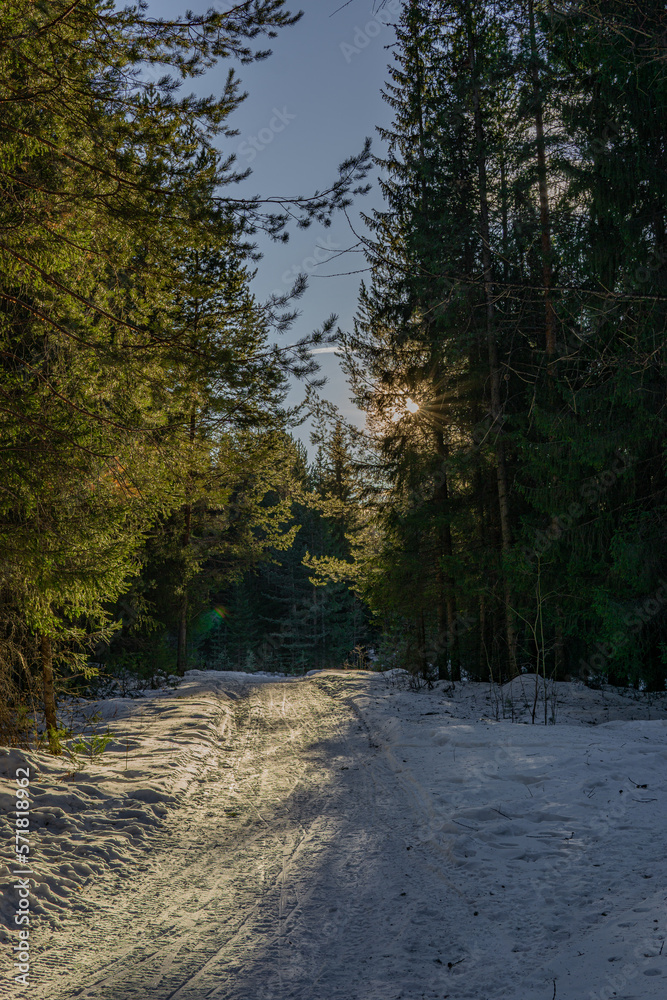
(291, 872)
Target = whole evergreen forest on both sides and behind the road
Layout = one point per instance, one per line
(505, 507)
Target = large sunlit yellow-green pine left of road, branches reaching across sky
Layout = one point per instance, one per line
(107, 181)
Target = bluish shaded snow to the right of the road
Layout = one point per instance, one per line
(555, 834)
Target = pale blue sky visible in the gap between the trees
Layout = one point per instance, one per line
(309, 106)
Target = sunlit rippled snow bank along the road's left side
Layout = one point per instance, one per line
(95, 815)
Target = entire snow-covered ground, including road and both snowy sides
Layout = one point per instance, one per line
(340, 837)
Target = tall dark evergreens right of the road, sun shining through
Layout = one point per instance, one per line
(509, 350)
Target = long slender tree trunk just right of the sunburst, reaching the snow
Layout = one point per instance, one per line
(494, 368)
